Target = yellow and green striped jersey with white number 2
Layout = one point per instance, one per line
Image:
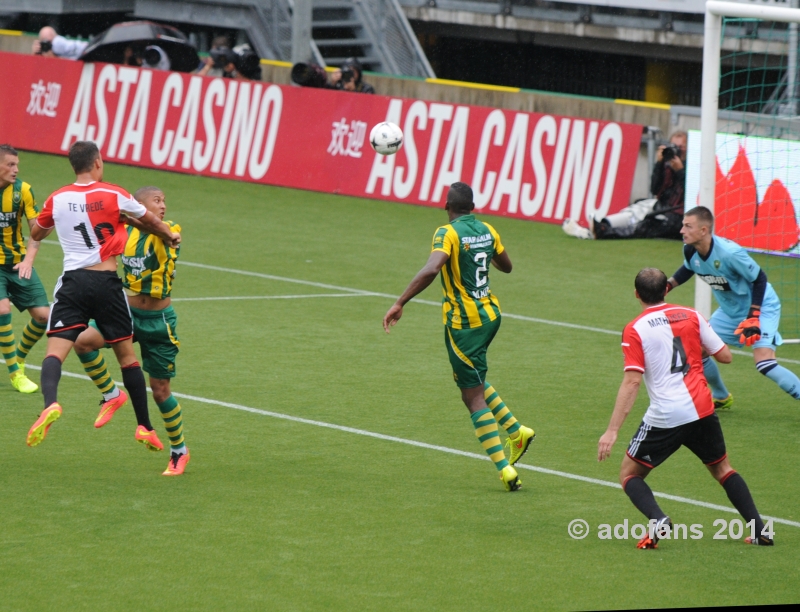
(470, 244)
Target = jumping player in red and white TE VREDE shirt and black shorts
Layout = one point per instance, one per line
(88, 219)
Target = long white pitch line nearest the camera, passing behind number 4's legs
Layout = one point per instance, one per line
(441, 449)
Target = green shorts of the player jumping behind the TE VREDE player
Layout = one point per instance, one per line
(156, 333)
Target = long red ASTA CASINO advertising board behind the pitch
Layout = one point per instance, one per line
(524, 165)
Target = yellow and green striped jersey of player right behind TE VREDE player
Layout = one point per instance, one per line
(149, 264)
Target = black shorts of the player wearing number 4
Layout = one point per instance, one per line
(652, 446)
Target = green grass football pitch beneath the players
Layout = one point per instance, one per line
(274, 514)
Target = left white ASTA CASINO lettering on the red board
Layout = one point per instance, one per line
(242, 142)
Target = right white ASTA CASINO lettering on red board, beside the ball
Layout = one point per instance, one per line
(566, 182)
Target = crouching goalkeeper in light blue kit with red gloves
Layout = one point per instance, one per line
(749, 309)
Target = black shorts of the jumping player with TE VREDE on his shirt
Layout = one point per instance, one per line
(81, 295)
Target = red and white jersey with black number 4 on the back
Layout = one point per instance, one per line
(665, 343)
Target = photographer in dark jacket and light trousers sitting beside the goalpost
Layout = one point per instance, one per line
(657, 217)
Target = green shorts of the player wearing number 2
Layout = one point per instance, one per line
(467, 351)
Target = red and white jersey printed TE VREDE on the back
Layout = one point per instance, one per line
(87, 221)
